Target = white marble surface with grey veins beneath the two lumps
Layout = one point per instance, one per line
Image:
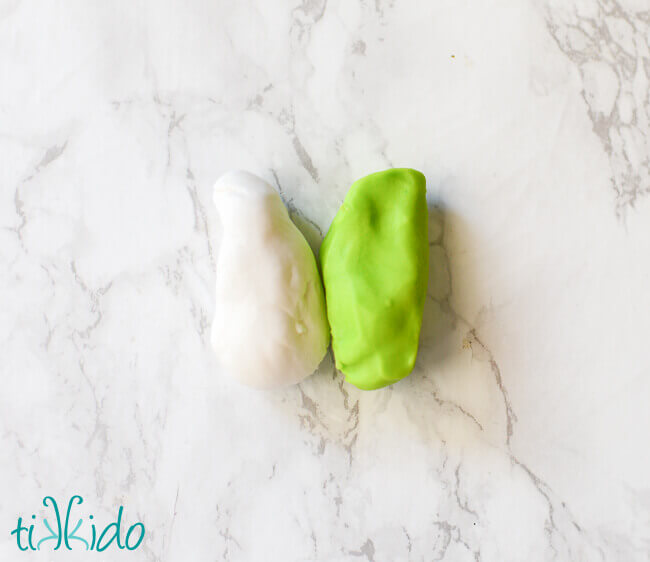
(523, 432)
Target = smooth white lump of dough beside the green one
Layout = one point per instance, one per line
(270, 325)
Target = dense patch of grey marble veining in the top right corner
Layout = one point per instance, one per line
(609, 43)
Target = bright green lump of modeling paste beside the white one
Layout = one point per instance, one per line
(375, 263)
